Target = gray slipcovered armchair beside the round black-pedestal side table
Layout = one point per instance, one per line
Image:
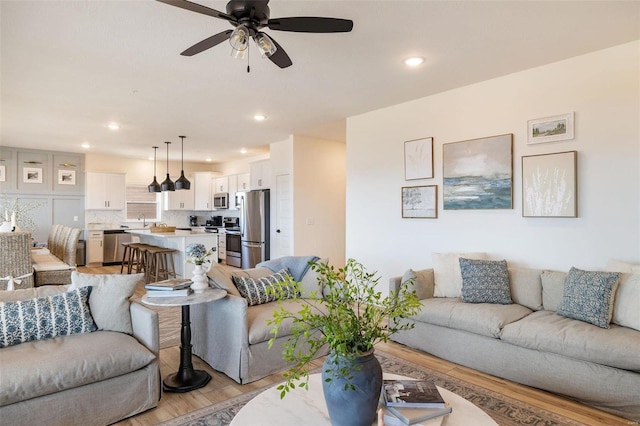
(233, 337)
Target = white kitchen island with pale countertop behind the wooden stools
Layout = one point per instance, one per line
(179, 240)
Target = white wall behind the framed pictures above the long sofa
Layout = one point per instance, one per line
(604, 91)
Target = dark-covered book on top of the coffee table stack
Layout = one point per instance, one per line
(411, 393)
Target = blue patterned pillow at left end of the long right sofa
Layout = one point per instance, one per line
(485, 281)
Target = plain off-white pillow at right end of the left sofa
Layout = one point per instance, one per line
(109, 299)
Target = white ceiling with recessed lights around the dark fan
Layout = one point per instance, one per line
(71, 67)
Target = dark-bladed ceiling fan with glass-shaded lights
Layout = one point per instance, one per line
(249, 17)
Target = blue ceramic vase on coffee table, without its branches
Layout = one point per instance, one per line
(349, 407)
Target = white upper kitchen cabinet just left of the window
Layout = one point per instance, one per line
(105, 191)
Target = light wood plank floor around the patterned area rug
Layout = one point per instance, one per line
(221, 387)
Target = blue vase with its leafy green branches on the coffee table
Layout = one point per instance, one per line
(349, 317)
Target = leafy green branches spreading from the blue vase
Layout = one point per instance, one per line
(349, 317)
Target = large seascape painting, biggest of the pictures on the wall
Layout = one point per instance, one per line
(478, 173)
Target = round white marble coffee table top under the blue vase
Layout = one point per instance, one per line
(301, 407)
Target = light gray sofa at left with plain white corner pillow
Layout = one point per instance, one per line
(94, 378)
